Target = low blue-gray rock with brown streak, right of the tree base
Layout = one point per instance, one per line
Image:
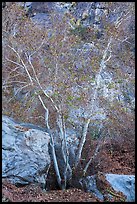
(110, 187)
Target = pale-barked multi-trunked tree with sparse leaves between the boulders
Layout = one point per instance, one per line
(59, 61)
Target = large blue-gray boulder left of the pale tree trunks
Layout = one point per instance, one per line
(25, 156)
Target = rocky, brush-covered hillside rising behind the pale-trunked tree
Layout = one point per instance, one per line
(83, 56)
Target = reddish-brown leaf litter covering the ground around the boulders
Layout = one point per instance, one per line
(113, 157)
